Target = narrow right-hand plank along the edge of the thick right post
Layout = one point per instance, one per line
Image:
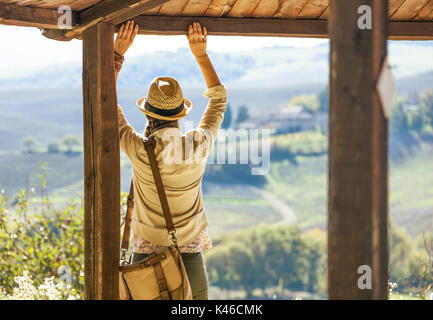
(379, 158)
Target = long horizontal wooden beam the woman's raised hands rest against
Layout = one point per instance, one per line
(315, 28)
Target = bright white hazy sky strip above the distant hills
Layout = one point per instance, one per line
(24, 48)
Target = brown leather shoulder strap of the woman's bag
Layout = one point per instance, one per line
(149, 146)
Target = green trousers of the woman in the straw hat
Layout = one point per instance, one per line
(195, 270)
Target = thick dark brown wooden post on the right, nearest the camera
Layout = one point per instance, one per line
(357, 203)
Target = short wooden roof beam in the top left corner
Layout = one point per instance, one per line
(11, 14)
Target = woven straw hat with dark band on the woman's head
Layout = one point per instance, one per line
(165, 100)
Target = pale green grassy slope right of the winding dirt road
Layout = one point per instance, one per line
(303, 186)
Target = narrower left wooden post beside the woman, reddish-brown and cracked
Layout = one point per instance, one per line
(101, 165)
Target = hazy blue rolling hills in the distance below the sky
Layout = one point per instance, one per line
(48, 103)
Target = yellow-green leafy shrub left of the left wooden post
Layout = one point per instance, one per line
(39, 241)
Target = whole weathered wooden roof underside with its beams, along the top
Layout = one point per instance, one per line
(419, 12)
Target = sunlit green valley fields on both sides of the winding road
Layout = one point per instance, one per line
(301, 185)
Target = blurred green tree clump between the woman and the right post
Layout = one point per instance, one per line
(266, 257)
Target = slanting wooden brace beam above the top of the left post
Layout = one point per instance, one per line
(113, 11)
